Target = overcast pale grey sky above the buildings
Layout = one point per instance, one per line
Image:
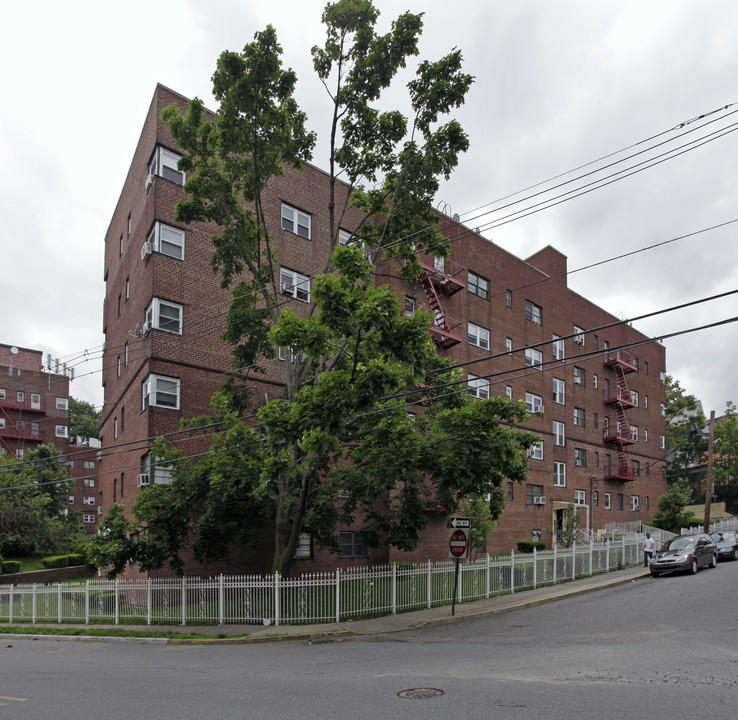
(558, 85)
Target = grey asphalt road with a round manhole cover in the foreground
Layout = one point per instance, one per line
(654, 648)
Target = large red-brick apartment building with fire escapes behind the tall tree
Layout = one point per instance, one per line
(595, 393)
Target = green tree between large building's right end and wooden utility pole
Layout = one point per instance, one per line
(686, 439)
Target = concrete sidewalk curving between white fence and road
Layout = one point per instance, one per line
(232, 634)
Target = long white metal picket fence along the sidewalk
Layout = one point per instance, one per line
(338, 596)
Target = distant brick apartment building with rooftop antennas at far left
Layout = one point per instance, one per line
(34, 410)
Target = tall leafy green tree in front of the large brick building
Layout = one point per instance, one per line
(342, 422)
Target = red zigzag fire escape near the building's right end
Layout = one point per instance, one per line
(621, 399)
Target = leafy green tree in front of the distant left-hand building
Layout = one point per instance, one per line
(33, 501)
